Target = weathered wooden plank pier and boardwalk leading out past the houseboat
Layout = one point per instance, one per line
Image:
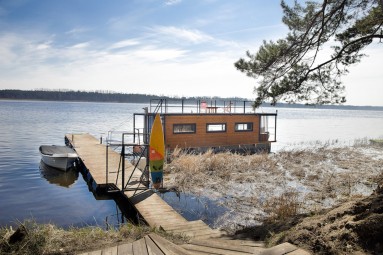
(97, 158)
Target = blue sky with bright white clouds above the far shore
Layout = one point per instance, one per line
(159, 47)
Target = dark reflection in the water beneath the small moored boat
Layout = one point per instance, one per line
(60, 178)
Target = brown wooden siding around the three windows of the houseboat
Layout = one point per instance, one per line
(201, 138)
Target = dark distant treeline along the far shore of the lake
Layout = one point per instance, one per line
(110, 96)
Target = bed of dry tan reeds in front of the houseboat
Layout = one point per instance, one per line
(260, 186)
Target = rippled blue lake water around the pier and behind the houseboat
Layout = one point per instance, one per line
(29, 190)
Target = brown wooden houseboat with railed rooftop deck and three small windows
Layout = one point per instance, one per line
(220, 126)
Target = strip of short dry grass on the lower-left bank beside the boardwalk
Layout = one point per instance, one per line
(50, 239)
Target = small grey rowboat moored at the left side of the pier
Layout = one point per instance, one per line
(60, 157)
